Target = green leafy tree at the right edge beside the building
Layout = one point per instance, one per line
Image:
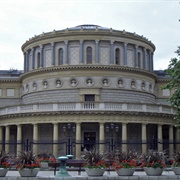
(174, 84)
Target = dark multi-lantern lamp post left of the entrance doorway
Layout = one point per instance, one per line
(70, 129)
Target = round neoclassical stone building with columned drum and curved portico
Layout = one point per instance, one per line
(86, 86)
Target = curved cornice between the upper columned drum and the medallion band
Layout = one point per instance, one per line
(87, 67)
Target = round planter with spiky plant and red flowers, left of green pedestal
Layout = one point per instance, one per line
(27, 164)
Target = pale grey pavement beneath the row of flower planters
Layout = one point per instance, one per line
(49, 175)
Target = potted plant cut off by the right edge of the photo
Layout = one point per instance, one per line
(176, 163)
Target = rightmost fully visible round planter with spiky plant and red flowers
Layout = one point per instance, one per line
(153, 162)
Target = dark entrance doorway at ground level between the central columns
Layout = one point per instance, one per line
(89, 140)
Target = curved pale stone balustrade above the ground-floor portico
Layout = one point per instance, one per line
(88, 106)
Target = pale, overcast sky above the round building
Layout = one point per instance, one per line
(154, 19)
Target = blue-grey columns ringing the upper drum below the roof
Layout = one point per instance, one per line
(146, 65)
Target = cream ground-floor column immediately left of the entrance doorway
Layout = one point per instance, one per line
(78, 140)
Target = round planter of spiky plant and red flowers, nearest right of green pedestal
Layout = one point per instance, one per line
(95, 162)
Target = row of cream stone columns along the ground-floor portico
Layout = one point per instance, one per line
(79, 137)
